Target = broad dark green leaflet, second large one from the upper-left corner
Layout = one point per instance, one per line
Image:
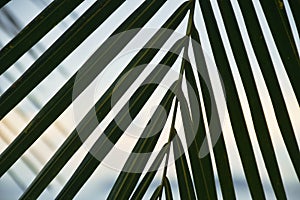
(46, 63)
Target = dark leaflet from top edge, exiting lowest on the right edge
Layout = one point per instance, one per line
(271, 80)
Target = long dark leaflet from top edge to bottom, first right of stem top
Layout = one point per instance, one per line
(234, 107)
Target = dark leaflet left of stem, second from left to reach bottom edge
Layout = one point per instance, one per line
(113, 132)
